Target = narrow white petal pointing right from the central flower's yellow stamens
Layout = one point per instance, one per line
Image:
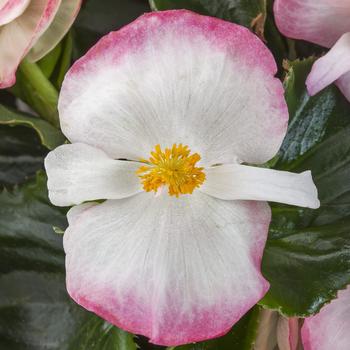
(234, 181)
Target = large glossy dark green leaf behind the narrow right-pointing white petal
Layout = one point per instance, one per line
(307, 256)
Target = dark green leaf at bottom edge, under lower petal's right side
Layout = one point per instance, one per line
(241, 337)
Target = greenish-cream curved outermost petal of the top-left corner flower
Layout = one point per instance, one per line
(63, 20)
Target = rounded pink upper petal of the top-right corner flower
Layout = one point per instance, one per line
(321, 22)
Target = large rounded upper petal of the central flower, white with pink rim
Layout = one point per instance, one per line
(200, 81)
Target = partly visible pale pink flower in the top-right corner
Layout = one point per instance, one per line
(323, 22)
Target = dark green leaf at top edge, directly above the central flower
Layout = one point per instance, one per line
(238, 11)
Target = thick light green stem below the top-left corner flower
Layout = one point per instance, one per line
(37, 91)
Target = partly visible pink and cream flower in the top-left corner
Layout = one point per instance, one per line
(33, 28)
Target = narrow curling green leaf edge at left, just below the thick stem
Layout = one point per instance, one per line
(49, 136)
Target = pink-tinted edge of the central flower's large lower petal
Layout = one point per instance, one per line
(131, 317)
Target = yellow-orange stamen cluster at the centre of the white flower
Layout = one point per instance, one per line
(174, 167)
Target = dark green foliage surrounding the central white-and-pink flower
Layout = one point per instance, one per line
(307, 257)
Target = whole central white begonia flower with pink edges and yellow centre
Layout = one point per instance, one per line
(182, 265)
